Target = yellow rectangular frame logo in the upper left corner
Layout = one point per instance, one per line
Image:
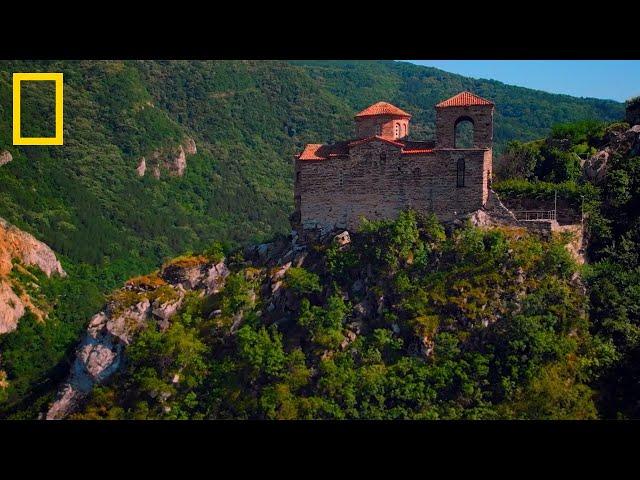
(37, 77)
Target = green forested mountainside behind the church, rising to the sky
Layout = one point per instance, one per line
(106, 223)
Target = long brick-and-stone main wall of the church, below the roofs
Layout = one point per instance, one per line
(377, 182)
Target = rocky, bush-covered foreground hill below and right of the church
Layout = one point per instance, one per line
(404, 319)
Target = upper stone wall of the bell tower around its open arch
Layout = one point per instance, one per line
(447, 119)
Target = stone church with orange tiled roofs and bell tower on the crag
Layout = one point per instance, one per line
(382, 171)
